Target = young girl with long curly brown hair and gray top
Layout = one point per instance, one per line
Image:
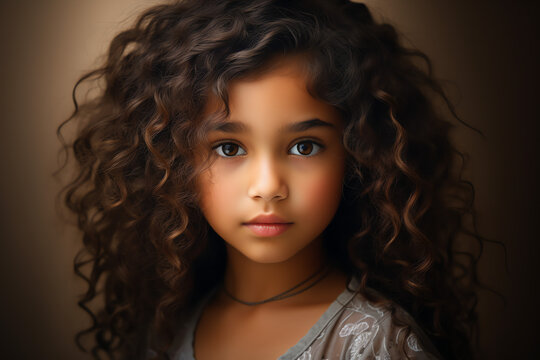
(269, 179)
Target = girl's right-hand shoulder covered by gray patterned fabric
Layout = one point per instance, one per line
(364, 330)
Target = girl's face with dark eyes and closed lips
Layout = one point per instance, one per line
(277, 179)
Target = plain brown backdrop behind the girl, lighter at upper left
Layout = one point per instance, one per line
(485, 51)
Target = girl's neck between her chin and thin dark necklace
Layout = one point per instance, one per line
(254, 281)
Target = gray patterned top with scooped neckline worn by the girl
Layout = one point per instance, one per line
(351, 328)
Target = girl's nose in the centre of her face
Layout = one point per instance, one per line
(267, 181)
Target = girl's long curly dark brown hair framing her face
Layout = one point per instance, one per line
(148, 251)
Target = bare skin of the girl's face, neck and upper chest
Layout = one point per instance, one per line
(262, 166)
